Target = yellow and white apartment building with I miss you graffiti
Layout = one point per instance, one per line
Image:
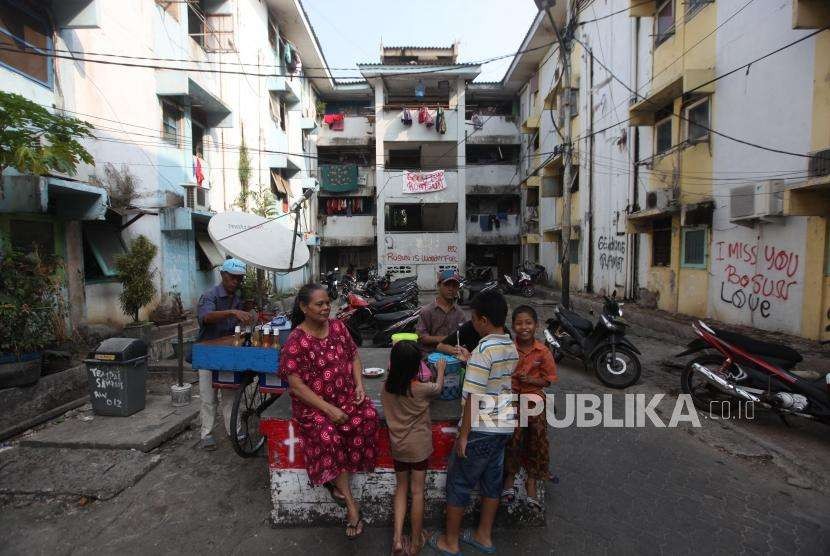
(694, 190)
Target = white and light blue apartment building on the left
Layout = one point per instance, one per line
(167, 115)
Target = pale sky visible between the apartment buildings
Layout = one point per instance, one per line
(350, 31)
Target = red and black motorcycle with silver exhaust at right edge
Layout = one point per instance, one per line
(743, 369)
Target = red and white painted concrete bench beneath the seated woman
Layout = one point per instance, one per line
(296, 503)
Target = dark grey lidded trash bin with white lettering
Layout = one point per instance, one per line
(117, 376)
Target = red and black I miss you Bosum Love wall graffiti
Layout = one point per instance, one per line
(756, 278)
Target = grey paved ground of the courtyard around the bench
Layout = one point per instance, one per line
(754, 486)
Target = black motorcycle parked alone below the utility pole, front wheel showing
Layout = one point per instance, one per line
(601, 346)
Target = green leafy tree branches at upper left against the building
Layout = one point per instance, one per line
(33, 140)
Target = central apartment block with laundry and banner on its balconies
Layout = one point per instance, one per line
(418, 168)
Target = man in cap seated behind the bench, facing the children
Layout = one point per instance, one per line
(442, 316)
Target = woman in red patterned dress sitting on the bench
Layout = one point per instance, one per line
(337, 422)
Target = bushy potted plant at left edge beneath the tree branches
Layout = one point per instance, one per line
(31, 313)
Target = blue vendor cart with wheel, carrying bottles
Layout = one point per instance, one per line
(252, 373)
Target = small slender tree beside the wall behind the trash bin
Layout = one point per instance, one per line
(134, 272)
